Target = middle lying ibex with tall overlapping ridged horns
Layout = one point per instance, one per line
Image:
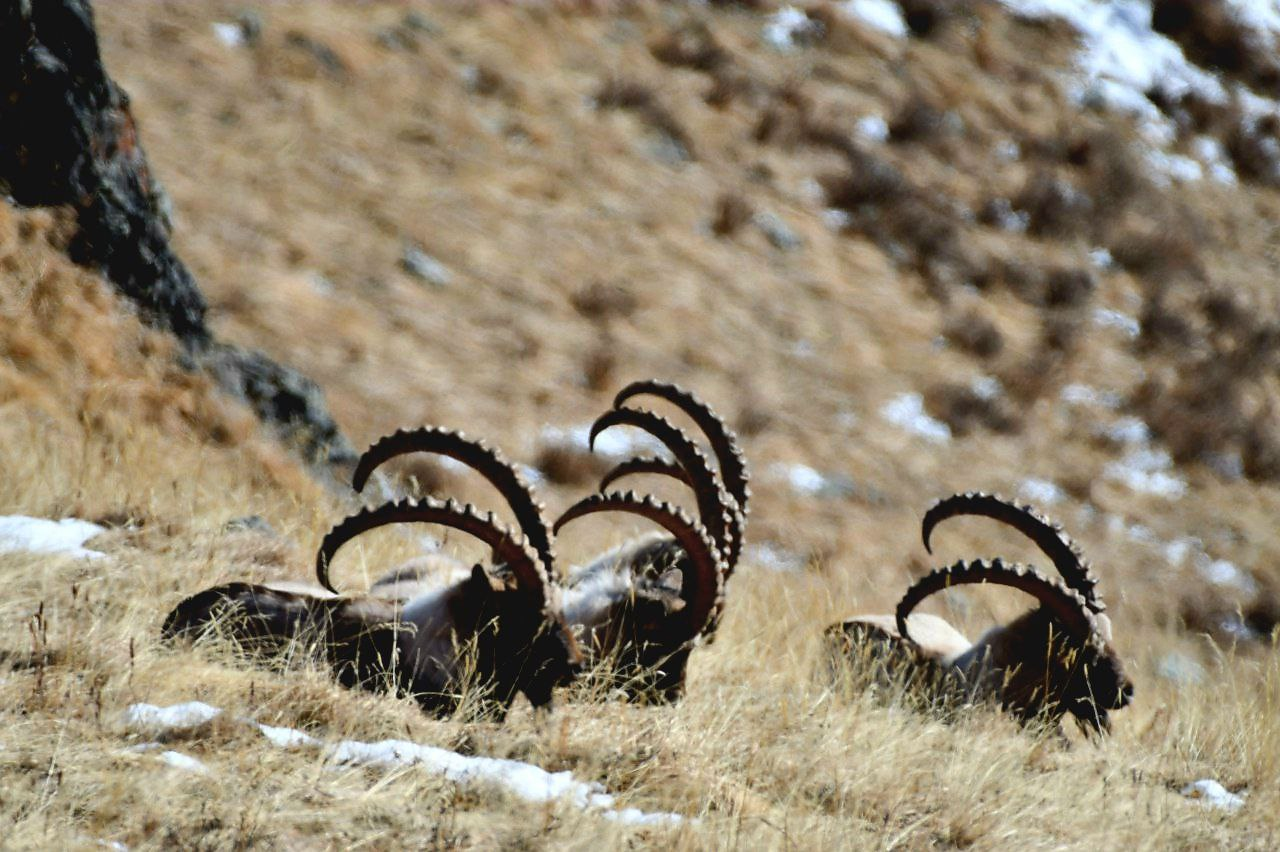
(644, 603)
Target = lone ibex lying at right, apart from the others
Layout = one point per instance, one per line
(1052, 661)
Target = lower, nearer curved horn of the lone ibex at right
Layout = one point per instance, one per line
(1067, 606)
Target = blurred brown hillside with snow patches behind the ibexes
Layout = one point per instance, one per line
(907, 249)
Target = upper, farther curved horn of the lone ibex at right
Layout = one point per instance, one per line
(1049, 537)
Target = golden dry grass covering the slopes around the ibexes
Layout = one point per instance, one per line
(589, 246)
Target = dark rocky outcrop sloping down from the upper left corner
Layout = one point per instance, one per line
(68, 140)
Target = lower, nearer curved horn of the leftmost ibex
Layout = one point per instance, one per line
(509, 548)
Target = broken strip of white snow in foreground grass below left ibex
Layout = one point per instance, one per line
(524, 781)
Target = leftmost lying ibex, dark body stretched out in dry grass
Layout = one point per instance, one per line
(424, 636)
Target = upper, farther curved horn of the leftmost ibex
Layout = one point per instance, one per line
(479, 457)
